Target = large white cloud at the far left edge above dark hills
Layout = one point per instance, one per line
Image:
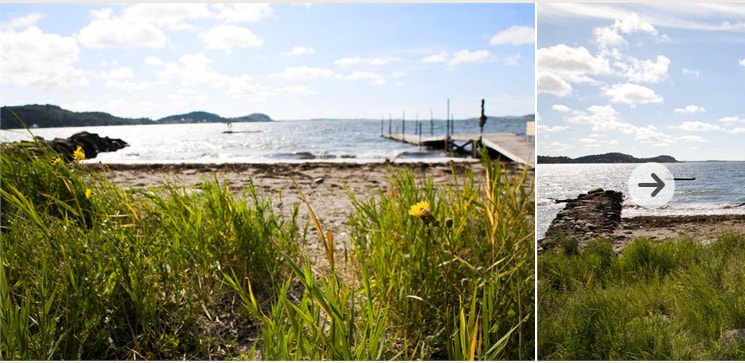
(33, 58)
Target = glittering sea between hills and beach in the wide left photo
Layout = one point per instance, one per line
(269, 142)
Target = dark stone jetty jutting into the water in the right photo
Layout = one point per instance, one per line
(592, 215)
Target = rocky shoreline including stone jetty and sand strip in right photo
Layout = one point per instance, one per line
(597, 214)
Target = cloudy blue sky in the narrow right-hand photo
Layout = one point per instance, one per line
(641, 79)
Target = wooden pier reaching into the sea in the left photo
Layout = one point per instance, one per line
(506, 145)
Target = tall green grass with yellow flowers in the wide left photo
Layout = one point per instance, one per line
(93, 271)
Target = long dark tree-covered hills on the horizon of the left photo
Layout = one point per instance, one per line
(55, 116)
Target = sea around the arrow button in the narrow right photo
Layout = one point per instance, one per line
(719, 188)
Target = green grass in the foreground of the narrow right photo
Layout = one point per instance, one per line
(655, 301)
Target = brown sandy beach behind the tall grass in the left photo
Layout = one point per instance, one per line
(326, 185)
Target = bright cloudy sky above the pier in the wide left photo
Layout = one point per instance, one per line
(291, 61)
